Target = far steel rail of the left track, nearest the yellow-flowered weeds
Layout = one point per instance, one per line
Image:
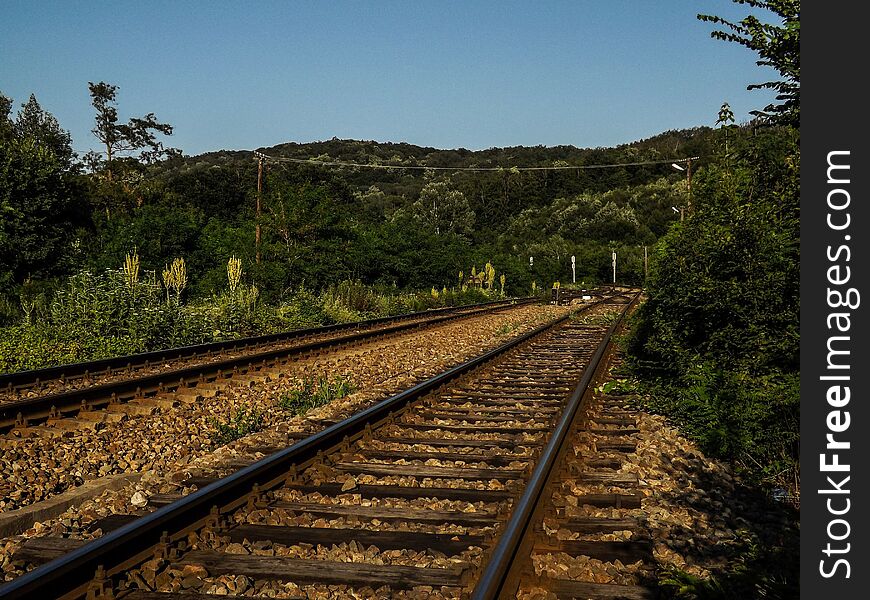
(22, 379)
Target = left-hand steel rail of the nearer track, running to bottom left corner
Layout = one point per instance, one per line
(69, 575)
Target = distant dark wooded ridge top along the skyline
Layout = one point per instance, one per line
(495, 197)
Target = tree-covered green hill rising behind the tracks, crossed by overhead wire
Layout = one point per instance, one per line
(416, 227)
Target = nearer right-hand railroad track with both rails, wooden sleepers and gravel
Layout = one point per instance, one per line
(416, 494)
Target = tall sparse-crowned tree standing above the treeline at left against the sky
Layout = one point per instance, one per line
(139, 134)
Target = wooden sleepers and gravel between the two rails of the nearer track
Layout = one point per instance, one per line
(369, 500)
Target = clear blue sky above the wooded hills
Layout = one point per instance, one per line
(238, 75)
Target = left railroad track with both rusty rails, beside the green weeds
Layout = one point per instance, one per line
(128, 390)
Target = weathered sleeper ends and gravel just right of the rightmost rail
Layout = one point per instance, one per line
(590, 545)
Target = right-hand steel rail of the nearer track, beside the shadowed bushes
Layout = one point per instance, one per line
(498, 568)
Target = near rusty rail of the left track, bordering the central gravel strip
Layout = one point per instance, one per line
(69, 402)
